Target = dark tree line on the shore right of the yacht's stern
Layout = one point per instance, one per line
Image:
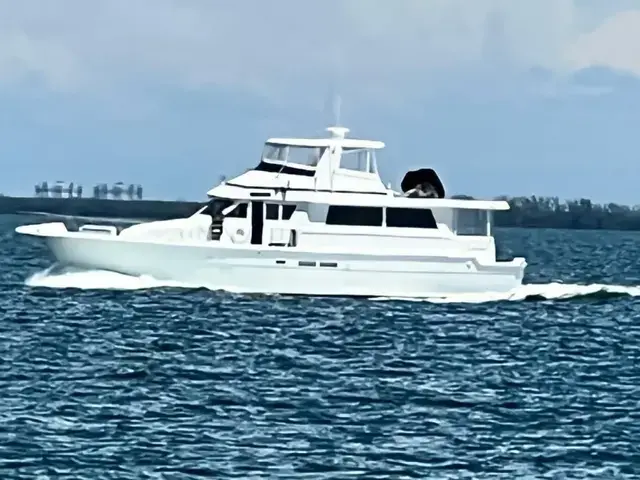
(551, 212)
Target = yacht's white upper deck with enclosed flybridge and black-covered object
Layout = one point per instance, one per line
(331, 171)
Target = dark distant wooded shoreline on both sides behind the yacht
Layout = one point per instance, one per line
(526, 212)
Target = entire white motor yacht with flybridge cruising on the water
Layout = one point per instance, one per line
(313, 217)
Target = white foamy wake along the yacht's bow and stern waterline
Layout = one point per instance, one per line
(53, 277)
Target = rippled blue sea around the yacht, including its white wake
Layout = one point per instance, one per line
(102, 376)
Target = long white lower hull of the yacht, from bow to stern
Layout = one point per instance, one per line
(286, 270)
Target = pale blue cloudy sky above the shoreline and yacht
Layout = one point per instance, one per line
(500, 97)
